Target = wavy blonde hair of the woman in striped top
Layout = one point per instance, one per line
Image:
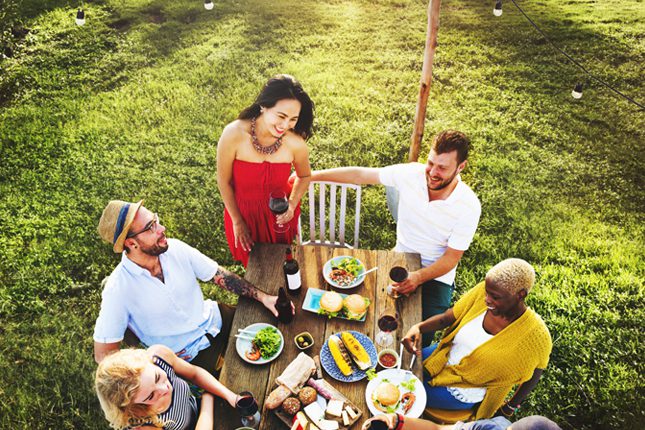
(117, 380)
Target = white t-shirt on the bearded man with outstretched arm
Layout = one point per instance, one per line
(430, 227)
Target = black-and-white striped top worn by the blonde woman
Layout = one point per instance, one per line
(182, 412)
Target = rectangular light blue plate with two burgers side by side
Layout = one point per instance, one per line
(332, 304)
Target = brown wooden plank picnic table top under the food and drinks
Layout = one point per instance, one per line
(265, 271)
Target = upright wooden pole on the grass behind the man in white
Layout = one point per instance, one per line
(434, 7)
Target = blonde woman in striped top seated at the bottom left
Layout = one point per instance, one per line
(140, 389)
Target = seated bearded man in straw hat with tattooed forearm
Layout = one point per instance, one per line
(153, 293)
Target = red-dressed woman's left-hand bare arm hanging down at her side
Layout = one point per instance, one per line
(226, 151)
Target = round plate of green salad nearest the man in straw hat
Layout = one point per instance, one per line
(259, 343)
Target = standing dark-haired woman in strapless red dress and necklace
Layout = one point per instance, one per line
(254, 158)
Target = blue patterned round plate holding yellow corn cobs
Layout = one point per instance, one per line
(347, 356)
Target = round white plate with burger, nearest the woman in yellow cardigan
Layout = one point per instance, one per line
(396, 391)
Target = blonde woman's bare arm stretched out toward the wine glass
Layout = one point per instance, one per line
(194, 374)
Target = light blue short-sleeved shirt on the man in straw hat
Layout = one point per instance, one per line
(172, 313)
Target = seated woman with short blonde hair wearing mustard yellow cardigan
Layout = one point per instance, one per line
(494, 342)
